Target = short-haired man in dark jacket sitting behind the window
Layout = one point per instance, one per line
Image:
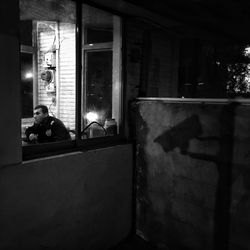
(46, 128)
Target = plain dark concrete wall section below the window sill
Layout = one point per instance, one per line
(75, 201)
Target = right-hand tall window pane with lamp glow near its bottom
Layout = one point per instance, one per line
(101, 73)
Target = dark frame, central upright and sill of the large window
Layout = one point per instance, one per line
(34, 151)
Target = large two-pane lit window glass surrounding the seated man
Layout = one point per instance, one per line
(80, 87)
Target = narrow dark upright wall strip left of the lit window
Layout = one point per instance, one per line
(10, 84)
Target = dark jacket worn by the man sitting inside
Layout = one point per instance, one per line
(59, 131)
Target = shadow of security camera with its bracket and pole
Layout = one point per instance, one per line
(180, 137)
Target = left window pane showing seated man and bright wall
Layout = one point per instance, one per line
(50, 40)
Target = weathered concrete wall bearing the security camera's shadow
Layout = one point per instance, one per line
(193, 174)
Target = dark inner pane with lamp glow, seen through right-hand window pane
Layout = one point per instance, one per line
(98, 92)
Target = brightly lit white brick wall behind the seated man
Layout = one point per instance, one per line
(63, 106)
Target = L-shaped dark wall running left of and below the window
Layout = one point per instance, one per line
(74, 201)
